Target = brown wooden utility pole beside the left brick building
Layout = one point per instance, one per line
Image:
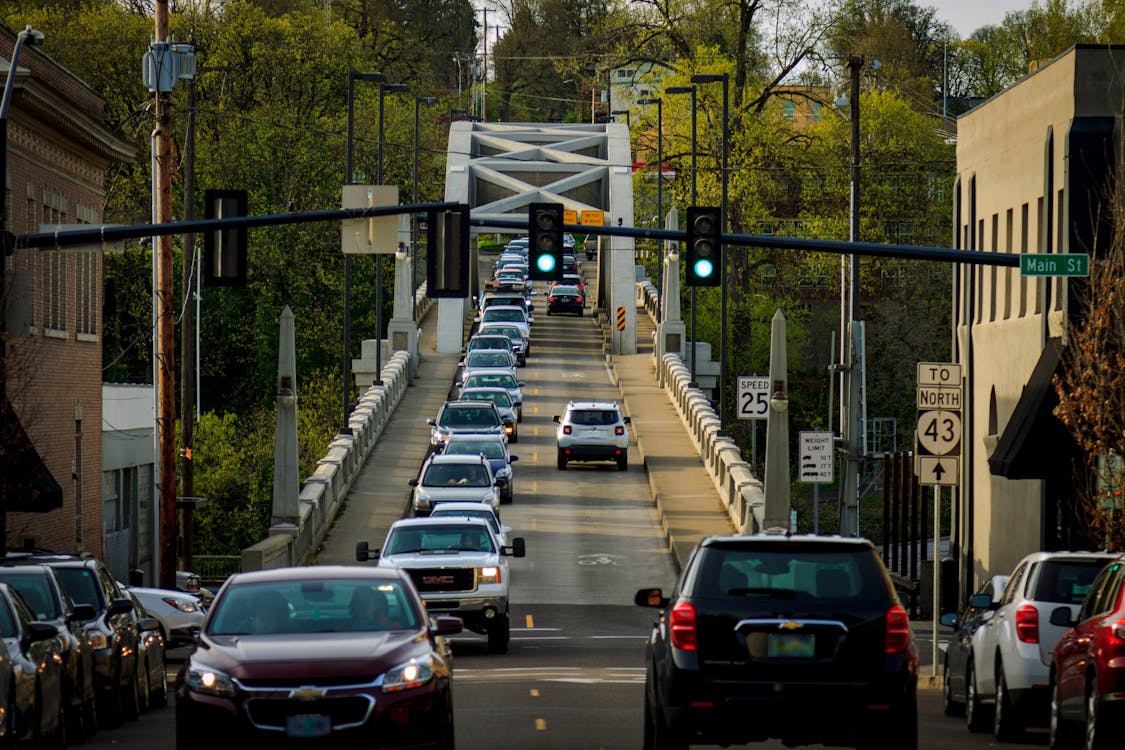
(166, 322)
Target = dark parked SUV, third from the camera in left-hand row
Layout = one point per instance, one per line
(112, 634)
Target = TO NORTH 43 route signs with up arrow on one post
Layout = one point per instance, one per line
(938, 435)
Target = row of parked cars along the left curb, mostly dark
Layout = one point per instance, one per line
(80, 652)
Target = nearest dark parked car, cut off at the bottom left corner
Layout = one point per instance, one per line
(37, 692)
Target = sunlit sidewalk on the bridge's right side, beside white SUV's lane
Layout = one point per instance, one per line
(687, 500)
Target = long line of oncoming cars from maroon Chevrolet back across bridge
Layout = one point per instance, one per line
(359, 656)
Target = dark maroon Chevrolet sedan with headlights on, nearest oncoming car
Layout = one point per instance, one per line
(327, 656)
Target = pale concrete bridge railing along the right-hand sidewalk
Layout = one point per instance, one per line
(742, 493)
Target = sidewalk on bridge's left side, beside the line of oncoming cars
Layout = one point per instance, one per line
(381, 493)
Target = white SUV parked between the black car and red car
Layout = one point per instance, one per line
(1007, 686)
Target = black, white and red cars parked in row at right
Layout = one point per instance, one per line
(1043, 647)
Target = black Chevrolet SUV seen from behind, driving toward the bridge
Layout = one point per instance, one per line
(797, 638)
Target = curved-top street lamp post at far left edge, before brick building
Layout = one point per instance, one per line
(28, 37)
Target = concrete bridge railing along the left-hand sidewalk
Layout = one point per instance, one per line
(325, 491)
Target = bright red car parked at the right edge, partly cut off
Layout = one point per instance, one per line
(1088, 670)
